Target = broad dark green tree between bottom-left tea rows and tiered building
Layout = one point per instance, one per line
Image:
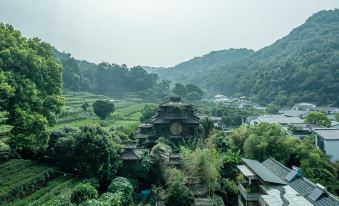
(90, 152)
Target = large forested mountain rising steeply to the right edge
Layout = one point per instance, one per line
(302, 66)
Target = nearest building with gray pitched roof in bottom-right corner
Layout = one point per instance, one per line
(271, 184)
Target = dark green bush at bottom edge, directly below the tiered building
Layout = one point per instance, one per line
(179, 194)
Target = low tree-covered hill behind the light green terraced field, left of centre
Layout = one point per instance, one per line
(81, 75)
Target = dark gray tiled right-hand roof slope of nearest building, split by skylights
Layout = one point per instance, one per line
(301, 184)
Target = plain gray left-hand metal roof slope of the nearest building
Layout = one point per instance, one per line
(264, 173)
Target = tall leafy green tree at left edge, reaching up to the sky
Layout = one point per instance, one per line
(30, 86)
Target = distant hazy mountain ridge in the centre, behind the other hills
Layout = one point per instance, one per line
(189, 71)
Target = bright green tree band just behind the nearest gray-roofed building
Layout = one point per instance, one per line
(264, 140)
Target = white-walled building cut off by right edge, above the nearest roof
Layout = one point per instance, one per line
(327, 139)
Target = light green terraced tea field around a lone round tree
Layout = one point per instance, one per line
(127, 112)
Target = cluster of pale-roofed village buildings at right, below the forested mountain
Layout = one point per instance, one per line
(327, 139)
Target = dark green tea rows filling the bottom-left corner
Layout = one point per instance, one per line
(24, 182)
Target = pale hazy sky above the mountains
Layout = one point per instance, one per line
(156, 32)
